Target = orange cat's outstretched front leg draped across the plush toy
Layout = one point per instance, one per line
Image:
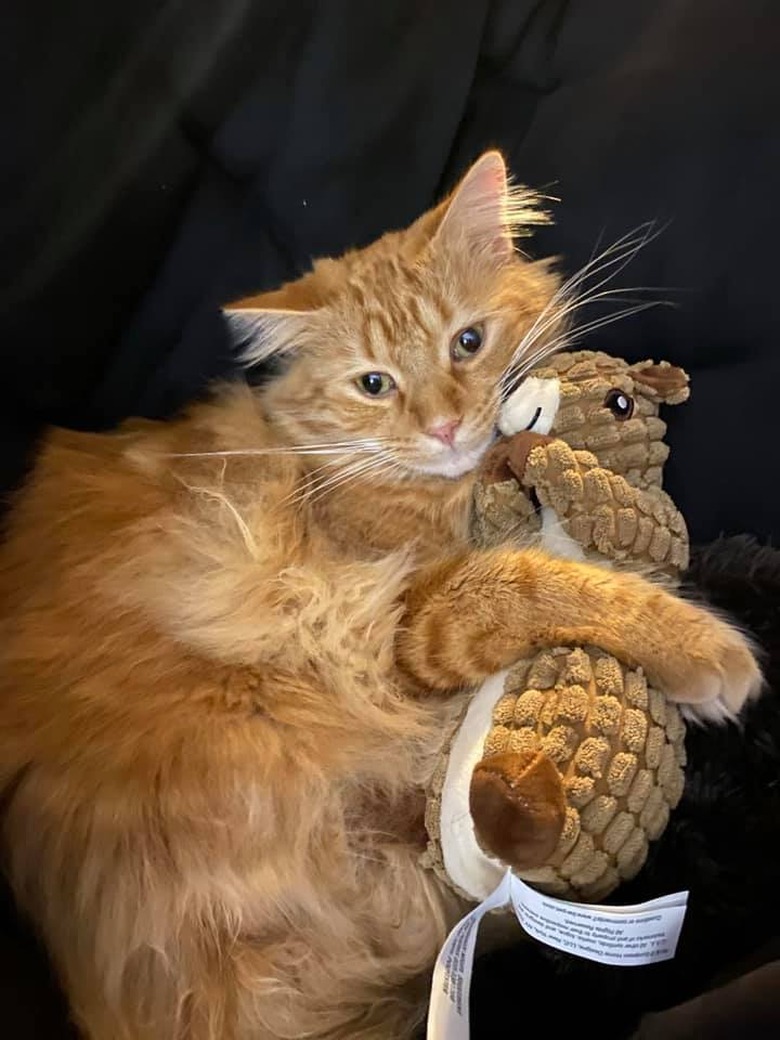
(471, 616)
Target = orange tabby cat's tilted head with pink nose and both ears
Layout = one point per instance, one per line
(403, 348)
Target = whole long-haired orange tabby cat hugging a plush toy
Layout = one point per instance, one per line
(229, 645)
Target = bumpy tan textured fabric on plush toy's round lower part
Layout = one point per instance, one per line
(619, 747)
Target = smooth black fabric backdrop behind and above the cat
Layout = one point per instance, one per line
(161, 157)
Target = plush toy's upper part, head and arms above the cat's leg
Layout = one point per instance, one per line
(607, 411)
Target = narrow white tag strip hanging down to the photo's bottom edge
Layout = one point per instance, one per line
(449, 1011)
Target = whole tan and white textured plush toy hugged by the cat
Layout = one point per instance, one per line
(567, 766)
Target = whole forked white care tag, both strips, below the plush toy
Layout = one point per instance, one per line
(644, 933)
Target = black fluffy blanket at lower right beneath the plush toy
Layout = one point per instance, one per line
(723, 844)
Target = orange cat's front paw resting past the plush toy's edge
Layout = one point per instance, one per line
(722, 674)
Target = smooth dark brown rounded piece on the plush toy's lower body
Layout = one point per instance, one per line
(518, 808)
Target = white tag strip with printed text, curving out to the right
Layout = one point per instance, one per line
(642, 934)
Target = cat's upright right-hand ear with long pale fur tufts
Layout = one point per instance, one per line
(485, 212)
